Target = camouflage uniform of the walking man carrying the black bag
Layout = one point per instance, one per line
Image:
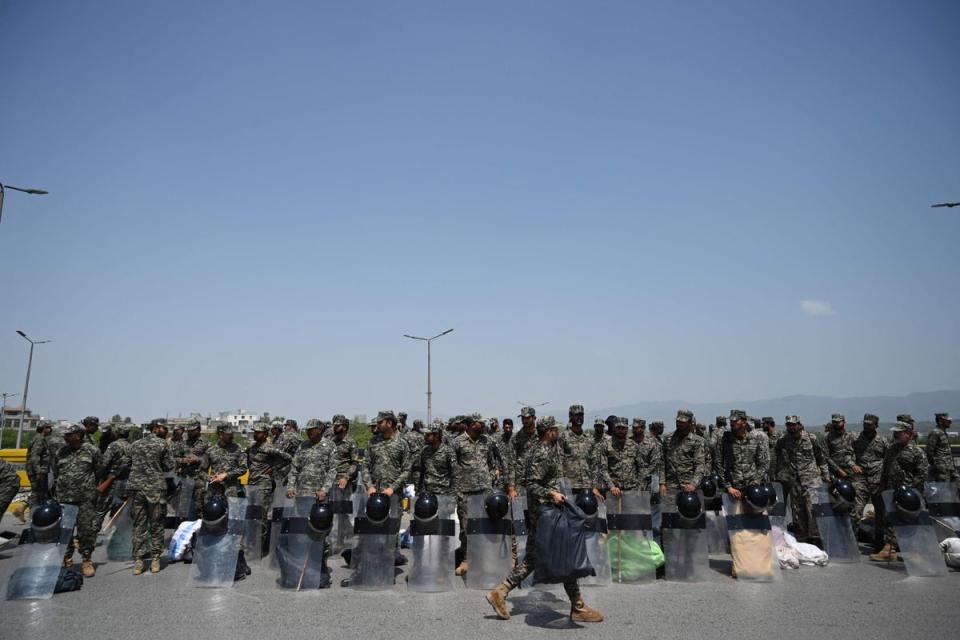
(542, 474)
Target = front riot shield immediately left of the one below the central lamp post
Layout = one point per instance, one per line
(372, 562)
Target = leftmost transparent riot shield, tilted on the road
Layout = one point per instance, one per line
(38, 566)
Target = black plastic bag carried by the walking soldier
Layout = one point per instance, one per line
(561, 545)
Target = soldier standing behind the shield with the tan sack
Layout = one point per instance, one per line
(744, 456)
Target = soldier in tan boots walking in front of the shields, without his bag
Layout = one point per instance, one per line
(543, 469)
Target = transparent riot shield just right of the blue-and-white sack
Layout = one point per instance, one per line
(215, 556)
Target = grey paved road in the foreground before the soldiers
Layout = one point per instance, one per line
(843, 601)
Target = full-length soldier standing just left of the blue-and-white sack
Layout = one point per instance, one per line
(150, 460)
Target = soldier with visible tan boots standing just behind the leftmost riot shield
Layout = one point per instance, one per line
(75, 468)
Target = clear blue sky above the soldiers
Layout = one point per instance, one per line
(610, 202)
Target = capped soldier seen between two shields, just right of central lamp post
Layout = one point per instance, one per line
(478, 469)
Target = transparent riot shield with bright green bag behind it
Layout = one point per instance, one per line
(634, 556)
